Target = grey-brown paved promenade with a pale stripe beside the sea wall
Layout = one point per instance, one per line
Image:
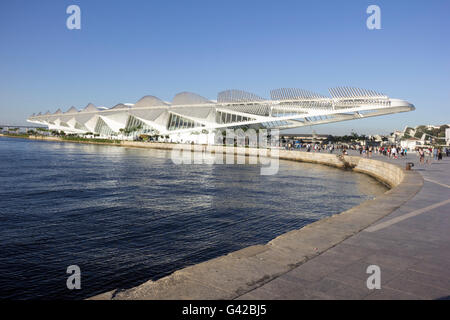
(411, 246)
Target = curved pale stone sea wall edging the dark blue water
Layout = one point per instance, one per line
(232, 275)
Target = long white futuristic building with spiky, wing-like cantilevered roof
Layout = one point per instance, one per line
(191, 113)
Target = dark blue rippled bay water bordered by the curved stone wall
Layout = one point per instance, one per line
(125, 216)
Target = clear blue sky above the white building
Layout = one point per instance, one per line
(128, 49)
